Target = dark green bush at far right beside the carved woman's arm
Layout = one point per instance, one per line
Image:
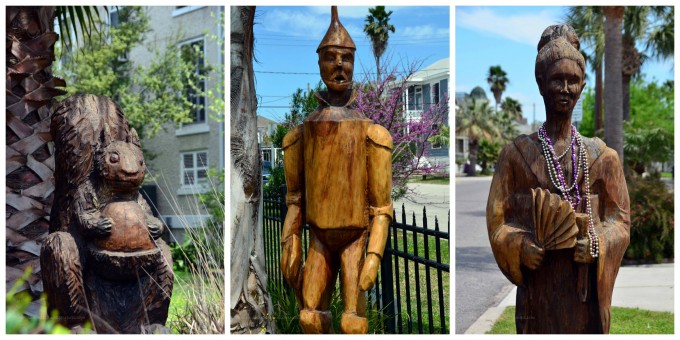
(651, 219)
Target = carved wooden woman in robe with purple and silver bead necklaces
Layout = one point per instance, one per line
(558, 209)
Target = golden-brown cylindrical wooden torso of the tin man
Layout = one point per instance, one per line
(335, 168)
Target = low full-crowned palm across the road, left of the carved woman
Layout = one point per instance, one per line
(476, 120)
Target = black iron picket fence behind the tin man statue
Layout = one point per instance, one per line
(413, 286)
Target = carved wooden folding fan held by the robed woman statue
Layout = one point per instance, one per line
(554, 220)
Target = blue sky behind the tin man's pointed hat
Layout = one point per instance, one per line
(286, 39)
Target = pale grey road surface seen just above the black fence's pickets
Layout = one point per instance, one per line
(435, 199)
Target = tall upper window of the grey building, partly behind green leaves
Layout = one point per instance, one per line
(193, 52)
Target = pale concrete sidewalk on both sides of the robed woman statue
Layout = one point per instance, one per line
(646, 287)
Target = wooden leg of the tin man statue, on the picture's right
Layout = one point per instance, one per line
(351, 262)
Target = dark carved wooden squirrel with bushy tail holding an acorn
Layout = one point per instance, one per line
(103, 261)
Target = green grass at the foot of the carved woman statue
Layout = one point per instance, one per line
(623, 321)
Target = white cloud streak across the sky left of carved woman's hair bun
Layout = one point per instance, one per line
(522, 28)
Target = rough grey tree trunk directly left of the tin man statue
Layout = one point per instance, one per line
(251, 307)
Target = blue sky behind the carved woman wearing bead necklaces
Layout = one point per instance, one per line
(507, 36)
